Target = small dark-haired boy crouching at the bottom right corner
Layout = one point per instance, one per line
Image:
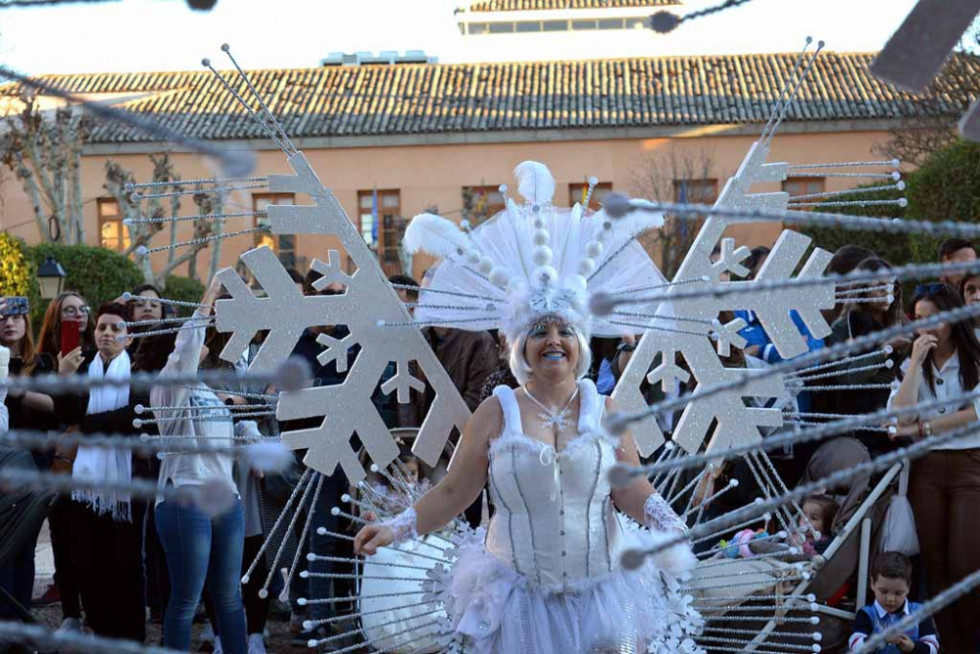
(891, 578)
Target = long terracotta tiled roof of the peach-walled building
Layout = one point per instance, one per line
(498, 97)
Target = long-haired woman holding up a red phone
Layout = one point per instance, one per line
(68, 330)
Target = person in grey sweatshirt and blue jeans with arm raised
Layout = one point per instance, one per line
(202, 548)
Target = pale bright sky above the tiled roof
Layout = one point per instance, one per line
(144, 35)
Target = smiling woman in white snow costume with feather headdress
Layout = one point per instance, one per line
(547, 577)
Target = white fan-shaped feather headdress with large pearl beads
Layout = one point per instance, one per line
(534, 261)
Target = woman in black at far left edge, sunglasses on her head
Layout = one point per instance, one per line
(27, 410)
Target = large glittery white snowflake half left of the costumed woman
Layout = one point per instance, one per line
(367, 301)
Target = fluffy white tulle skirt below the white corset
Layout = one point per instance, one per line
(496, 610)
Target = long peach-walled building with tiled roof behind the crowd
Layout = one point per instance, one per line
(394, 140)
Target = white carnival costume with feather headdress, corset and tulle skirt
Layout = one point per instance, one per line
(546, 576)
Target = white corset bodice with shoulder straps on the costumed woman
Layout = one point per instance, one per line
(555, 522)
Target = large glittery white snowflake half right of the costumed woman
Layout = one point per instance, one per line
(704, 338)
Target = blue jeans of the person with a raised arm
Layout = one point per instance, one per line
(200, 548)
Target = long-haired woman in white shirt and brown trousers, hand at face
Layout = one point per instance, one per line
(945, 483)
